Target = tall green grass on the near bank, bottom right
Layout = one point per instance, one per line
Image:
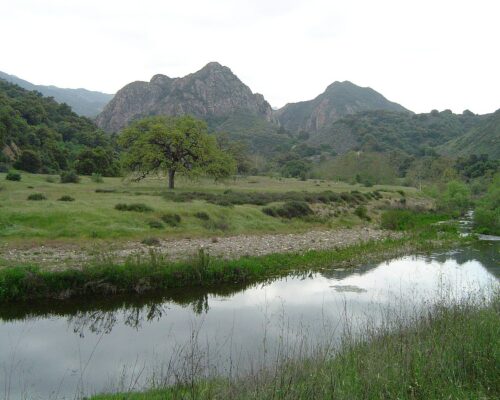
(449, 353)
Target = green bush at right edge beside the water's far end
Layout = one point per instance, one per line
(487, 214)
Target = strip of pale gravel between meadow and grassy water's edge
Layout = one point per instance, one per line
(227, 247)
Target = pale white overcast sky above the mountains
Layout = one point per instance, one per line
(422, 54)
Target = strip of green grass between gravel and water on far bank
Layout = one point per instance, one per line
(146, 273)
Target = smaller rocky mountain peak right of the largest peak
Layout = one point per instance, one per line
(338, 100)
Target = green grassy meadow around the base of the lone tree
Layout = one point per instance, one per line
(93, 215)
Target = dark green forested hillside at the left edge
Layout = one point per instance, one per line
(37, 134)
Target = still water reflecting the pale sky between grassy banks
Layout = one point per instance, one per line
(65, 350)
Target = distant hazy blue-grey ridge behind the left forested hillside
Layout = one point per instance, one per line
(83, 102)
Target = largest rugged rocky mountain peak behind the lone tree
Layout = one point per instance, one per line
(212, 93)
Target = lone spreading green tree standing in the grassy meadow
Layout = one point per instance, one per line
(173, 145)
